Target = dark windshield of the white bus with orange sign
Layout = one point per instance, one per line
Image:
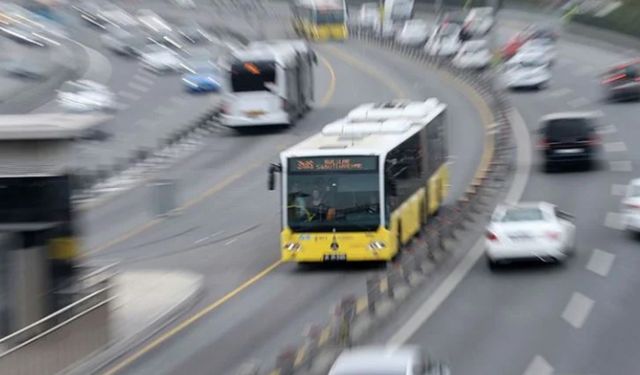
(252, 76)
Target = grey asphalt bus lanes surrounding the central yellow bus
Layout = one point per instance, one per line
(228, 229)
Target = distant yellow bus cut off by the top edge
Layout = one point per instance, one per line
(320, 19)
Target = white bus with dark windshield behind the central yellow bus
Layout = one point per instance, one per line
(270, 83)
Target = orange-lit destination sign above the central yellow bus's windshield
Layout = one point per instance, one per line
(333, 163)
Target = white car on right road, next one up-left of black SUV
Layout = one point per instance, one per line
(526, 70)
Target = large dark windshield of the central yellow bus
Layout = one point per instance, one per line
(321, 200)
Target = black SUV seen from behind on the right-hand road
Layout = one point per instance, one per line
(568, 138)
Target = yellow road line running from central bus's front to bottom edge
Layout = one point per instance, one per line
(194, 318)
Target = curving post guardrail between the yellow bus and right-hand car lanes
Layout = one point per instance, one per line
(354, 317)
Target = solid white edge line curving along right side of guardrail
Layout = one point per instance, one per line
(521, 176)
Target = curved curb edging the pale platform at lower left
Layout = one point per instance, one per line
(98, 362)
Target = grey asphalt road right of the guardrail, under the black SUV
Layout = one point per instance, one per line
(577, 318)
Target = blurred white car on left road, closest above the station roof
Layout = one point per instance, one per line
(86, 96)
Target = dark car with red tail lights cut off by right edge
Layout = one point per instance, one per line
(622, 81)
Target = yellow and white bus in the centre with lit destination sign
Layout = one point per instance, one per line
(365, 185)
